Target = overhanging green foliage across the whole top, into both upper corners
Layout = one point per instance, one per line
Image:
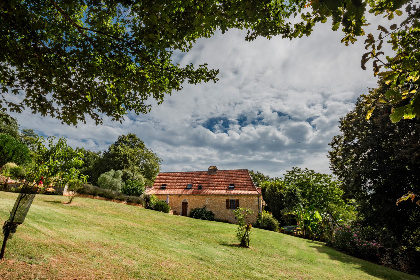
(74, 59)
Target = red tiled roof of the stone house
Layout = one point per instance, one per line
(211, 184)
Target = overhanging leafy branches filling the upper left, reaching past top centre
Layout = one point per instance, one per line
(72, 59)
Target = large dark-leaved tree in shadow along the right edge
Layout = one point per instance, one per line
(378, 162)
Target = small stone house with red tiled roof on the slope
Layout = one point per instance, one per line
(220, 191)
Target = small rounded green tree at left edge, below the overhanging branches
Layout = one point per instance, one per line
(12, 150)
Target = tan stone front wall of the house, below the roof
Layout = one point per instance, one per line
(216, 204)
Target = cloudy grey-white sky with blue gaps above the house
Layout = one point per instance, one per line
(277, 105)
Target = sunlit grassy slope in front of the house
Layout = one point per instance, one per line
(92, 239)
